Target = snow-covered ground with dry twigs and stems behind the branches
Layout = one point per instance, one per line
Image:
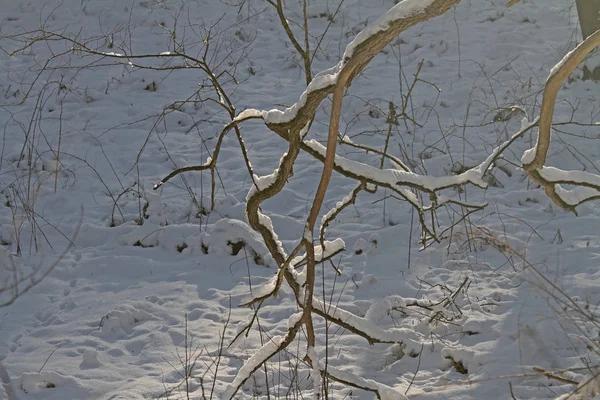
(153, 273)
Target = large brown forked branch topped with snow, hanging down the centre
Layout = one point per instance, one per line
(291, 124)
